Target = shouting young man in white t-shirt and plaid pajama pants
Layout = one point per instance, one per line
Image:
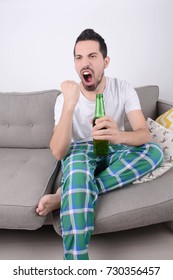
(131, 155)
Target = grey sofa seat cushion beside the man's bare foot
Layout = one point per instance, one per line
(25, 176)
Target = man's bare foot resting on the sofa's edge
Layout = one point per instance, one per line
(48, 203)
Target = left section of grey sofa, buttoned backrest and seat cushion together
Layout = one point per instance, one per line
(27, 167)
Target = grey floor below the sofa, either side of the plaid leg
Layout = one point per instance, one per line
(153, 242)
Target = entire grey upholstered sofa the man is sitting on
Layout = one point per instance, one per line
(28, 170)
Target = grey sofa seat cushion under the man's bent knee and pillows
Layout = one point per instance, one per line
(132, 206)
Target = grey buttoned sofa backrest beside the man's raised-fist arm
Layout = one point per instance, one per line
(27, 119)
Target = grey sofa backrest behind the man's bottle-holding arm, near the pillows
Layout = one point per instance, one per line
(148, 96)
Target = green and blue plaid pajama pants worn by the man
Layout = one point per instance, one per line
(85, 176)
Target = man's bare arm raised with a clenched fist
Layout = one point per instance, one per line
(62, 135)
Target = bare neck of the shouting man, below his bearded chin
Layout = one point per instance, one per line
(91, 95)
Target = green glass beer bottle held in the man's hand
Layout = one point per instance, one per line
(100, 146)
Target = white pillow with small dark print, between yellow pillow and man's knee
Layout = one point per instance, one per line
(163, 137)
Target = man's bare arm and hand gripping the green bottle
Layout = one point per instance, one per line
(138, 136)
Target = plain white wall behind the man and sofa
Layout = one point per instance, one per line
(37, 38)
